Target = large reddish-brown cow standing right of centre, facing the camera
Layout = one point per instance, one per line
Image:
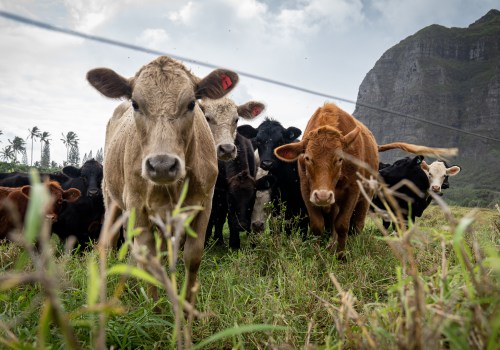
(328, 183)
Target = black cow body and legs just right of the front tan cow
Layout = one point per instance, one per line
(234, 194)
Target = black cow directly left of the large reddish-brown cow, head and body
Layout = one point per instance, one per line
(269, 135)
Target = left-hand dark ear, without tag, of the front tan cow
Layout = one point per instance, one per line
(109, 83)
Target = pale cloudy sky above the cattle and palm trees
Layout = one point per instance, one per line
(321, 45)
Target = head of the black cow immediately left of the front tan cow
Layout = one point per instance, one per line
(90, 175)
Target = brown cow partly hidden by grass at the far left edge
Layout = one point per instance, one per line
(19, 196)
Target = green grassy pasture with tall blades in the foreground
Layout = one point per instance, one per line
(433, 286)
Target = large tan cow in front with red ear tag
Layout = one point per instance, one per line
(157, 139)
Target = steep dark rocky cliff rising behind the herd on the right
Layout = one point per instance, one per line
(449, 76)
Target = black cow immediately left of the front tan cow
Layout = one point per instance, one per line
(82, 218)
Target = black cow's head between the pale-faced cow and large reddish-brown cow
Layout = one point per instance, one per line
(269, 135)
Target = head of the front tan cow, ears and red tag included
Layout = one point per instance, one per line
(163, 105)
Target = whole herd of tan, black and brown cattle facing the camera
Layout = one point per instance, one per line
(175, 126)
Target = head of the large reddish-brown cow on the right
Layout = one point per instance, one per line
(320, 156)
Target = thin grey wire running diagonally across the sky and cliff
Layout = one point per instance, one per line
(50, 27)
